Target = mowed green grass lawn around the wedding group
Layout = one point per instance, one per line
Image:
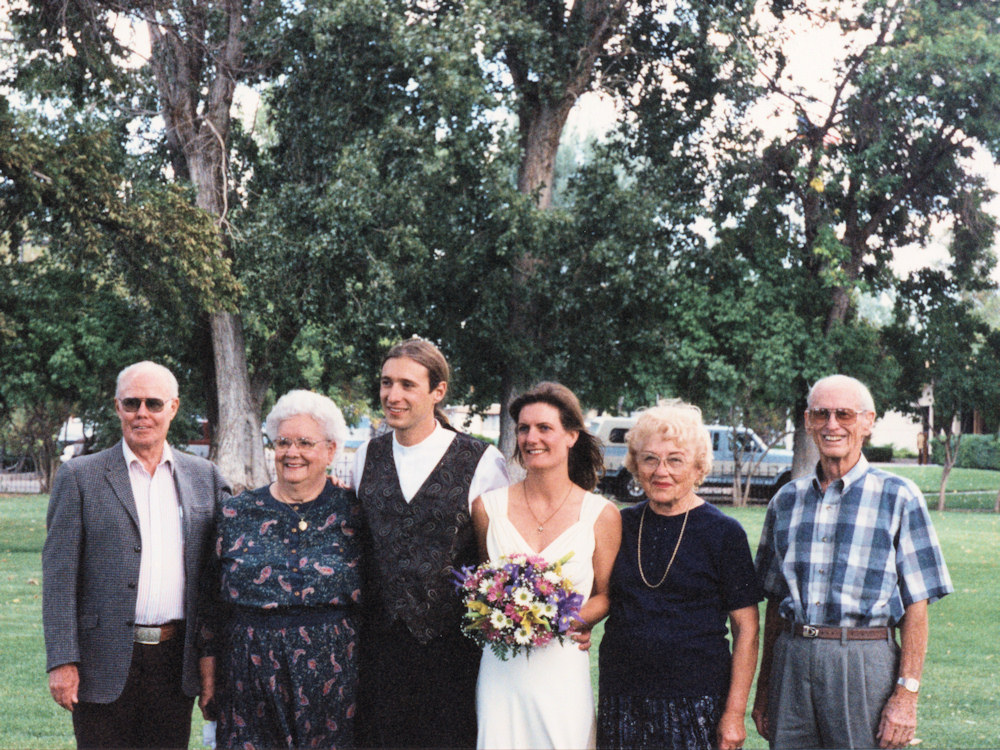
(959, 705)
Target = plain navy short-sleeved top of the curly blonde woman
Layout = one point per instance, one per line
(670, 642)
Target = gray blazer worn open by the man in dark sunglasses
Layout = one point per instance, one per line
(90, 566)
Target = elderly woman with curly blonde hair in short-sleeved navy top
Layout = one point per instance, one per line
(667, 677)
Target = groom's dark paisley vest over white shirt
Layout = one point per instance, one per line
(417, 546)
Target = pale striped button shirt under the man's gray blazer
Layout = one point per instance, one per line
(161, 529)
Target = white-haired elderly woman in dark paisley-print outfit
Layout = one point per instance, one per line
(282, 623)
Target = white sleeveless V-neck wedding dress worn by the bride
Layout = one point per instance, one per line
(542, 699)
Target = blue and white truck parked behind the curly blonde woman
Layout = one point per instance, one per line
(773, 471)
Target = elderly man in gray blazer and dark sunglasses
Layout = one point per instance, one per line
(128, 531)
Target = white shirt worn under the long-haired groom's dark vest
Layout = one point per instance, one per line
(414, 463)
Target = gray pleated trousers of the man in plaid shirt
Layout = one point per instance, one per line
(829, 693)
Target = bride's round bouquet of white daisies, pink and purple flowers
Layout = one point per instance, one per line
(517, 602)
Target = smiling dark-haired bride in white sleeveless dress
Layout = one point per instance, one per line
(544, 698)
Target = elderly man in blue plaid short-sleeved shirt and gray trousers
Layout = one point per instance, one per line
(847, 555)
